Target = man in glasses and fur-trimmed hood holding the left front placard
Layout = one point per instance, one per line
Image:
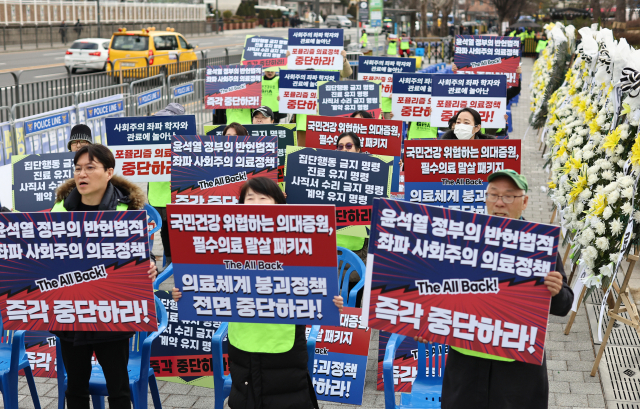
(94, 187)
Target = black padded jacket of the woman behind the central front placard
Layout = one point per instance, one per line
(272, 381)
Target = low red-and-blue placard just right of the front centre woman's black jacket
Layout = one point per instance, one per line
(340, 363)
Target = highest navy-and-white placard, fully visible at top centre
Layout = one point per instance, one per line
(317, 48)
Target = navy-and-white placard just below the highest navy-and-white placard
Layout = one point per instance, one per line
(298, 90)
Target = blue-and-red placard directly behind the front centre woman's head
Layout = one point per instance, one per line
(212, 169)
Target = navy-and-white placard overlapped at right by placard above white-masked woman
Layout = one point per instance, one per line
(411, 99)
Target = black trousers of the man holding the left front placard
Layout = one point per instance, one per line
(113, 356)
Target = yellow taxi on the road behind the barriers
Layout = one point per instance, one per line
(129, 49)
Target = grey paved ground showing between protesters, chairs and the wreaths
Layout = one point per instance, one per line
(569, 358)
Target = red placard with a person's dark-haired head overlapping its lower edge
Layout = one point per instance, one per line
(377, 136)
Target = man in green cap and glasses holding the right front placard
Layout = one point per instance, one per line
(480, 380)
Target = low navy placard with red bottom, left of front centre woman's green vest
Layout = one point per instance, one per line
(182, 353)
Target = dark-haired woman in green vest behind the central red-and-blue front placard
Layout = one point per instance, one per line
(268, 362)
